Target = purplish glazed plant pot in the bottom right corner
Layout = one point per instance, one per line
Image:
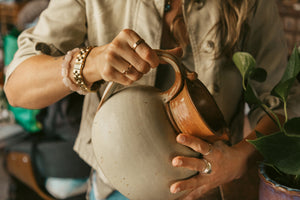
(270, 189)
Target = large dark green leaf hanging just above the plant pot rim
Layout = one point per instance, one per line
(280, 150)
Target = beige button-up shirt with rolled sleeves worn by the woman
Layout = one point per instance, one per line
(67, 24)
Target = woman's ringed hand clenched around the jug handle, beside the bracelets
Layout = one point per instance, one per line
(118, 61)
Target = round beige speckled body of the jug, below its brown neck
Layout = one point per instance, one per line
(134, 147)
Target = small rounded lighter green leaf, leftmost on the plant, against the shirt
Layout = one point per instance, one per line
(245, 64)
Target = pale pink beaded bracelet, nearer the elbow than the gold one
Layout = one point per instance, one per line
(65, 72)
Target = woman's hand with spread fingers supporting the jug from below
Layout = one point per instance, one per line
(227, 163)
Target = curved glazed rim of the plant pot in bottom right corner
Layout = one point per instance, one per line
(264, 177)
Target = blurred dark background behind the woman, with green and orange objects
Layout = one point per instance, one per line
(27, 134)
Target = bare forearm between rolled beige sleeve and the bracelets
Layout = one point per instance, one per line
(36, 83)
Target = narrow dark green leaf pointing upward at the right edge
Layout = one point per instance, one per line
(282, 89)
